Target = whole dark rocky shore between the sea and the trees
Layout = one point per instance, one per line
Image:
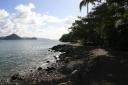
(78, 65)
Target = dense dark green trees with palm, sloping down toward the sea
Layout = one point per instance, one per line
(105, 26)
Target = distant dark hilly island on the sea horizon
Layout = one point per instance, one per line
(16, 37)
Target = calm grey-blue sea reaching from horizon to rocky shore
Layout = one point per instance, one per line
(20, 56)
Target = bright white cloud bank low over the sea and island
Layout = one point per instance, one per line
(28, 23)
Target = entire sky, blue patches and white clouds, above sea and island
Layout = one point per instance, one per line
(38, 18)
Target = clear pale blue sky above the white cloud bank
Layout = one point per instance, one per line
(59, 8)
